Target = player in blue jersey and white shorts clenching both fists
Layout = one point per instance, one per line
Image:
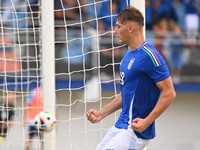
(144, 75)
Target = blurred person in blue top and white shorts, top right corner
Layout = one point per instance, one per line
(191, 22)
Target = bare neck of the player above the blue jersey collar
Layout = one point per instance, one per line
(136, 41)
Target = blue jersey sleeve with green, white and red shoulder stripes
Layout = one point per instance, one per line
(154, 65)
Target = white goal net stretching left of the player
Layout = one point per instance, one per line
(86, 57)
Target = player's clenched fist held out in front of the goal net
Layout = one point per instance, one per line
(94, 116)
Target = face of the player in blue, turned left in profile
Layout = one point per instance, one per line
(121, 30)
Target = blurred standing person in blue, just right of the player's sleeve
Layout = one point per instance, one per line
(176, 54)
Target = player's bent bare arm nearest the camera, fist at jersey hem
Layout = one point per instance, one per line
(167, 96)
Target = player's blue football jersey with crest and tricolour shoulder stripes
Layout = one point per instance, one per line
(139, 72)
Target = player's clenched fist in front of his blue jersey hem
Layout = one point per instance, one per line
(139, 125)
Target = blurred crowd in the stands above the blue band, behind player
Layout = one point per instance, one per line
(171, 25)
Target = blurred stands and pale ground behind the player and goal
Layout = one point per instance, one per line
(87, 53)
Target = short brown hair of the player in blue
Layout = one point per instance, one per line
(130, 13)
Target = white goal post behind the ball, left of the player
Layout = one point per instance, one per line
(48, 66)
